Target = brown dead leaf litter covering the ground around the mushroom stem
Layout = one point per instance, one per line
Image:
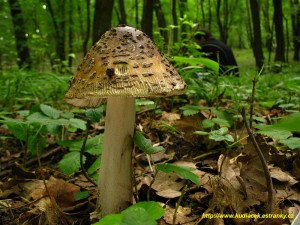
(233, 188)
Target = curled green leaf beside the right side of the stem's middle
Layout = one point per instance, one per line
(145, 144)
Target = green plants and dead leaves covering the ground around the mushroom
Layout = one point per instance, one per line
(193, 160)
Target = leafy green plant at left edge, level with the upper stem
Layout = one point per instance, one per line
(31, 127)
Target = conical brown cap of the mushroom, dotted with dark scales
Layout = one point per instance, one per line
(124, 62)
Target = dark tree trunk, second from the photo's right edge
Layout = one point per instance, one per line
(278, 21)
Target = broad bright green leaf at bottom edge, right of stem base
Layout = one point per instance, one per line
(136, 216)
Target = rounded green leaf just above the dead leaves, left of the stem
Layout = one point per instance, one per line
(70, 163)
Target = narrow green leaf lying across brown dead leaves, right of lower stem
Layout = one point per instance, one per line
(185, 172)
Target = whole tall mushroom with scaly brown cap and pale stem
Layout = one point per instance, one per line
(122, 65)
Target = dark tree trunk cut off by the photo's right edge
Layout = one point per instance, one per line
(296, 28)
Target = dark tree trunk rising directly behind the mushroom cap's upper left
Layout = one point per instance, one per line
(102, 18)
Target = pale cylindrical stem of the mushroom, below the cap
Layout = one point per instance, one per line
(115, 177)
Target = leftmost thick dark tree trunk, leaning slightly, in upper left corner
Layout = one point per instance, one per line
(20, 34)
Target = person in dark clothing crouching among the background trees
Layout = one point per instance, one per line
(217, 51)
